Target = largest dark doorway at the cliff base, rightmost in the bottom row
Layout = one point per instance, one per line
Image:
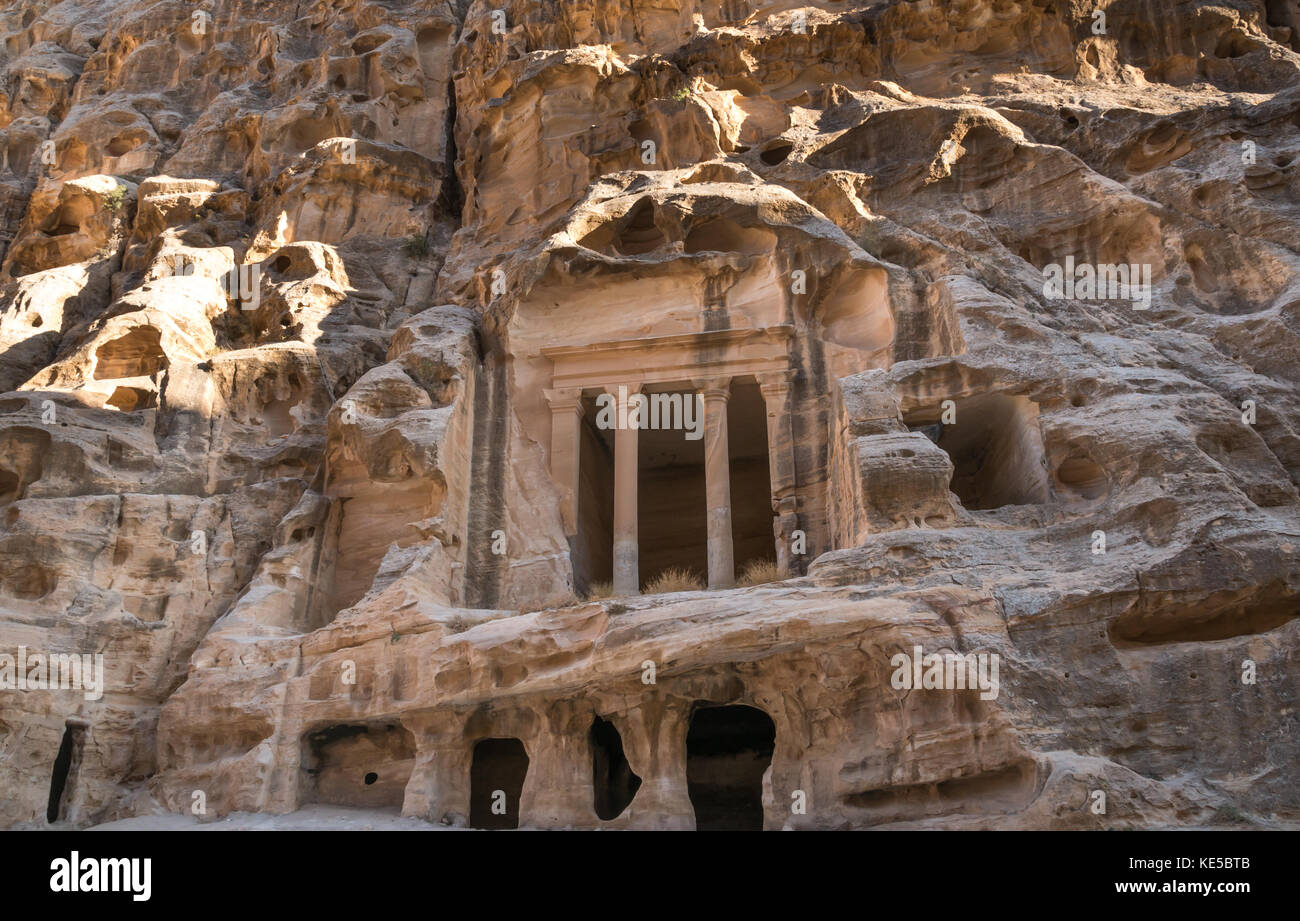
(729, 749)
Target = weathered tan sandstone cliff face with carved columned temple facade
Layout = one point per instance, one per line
(307, 312)
